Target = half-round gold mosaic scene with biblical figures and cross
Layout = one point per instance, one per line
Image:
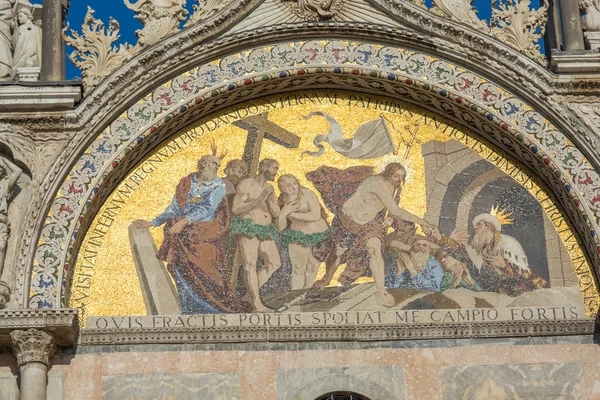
(326, 201)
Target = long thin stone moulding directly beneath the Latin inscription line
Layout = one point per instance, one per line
(338, 333)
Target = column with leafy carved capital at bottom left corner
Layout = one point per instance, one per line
(33, 350)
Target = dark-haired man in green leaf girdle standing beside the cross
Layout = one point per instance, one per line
(255, 208)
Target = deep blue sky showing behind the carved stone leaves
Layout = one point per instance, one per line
(115, 8)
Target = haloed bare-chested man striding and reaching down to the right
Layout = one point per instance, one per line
(358, 216)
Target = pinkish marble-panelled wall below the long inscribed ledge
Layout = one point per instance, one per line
(529, 368)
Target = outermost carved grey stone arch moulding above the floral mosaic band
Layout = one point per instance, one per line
(199, 44)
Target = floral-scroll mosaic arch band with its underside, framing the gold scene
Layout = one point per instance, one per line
(433, 84)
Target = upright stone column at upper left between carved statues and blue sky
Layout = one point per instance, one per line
(53, 45)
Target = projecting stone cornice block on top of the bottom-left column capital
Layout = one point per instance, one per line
(62, 324)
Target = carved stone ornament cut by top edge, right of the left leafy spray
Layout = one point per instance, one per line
(159, 17)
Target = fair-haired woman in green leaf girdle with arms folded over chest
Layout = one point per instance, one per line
(303, 225)
